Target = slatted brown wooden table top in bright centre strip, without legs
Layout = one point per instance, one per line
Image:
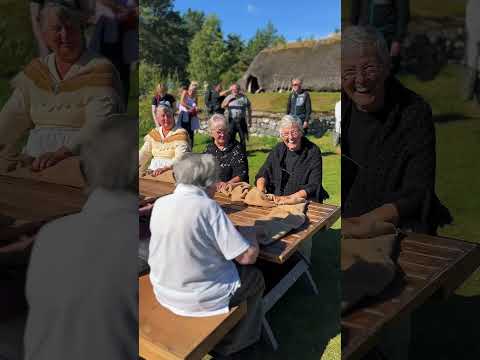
(320, 216)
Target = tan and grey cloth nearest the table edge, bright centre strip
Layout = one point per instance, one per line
(279, 221)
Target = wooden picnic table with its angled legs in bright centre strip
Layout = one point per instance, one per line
(319, 216)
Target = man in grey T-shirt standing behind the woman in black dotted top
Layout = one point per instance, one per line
(239, 114)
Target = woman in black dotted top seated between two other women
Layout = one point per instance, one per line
(229, 154)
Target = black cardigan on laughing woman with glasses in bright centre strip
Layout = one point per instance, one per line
(307, 175)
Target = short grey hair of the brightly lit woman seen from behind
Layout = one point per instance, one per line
(201, 170)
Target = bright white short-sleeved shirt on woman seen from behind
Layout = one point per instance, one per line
(191, 250)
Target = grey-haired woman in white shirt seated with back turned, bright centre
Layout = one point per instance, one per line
(198, 260)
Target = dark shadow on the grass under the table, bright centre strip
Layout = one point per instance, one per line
(304, 323)
